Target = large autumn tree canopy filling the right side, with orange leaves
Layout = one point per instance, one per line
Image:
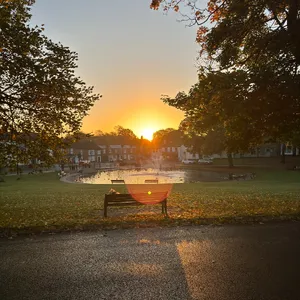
(250, 90)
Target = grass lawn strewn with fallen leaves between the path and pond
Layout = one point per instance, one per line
(43, 203)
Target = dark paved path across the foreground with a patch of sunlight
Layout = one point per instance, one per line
(229, 262)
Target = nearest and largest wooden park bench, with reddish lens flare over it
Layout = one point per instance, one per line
(154, 198)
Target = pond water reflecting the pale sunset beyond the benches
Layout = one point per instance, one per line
(163, 176)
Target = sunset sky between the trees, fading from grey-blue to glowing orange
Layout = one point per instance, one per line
(129, 53)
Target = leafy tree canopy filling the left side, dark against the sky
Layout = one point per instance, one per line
(41, 98)
